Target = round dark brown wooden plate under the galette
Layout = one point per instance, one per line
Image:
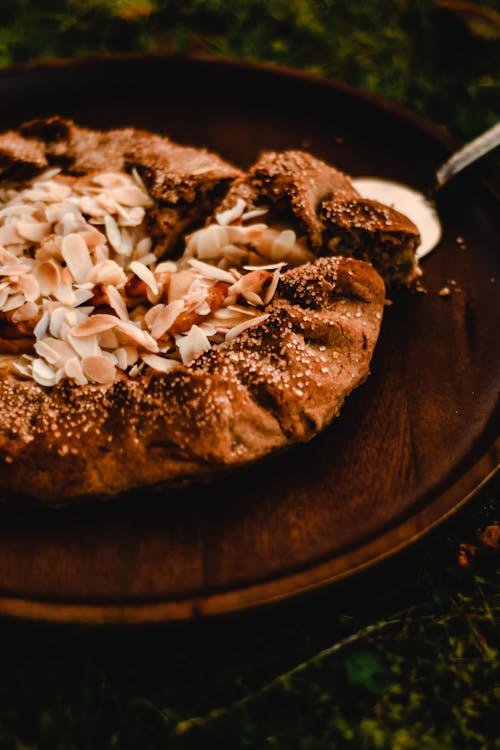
(410, 445)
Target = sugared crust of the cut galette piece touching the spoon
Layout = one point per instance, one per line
(322, 203)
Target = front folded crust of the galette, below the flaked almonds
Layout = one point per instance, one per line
(278, 383)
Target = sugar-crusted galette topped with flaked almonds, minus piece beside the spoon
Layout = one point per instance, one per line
(128, 360)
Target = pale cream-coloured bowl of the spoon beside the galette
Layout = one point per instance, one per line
(407, 201)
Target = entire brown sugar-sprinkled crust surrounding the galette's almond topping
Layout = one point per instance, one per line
(279, 382)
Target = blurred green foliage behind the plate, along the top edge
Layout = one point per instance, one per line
(441, 58)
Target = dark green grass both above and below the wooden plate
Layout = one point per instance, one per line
(403, 657)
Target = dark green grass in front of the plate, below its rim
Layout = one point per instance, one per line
(404, 657)
